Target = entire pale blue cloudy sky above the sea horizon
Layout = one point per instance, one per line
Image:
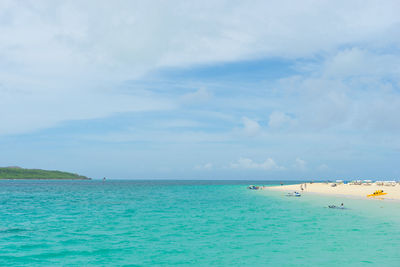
(279, 90)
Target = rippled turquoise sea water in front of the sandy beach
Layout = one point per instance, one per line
(209, 223)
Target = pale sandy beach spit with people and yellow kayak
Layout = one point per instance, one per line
(359, 191)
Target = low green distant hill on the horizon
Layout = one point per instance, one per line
(15, 172)
